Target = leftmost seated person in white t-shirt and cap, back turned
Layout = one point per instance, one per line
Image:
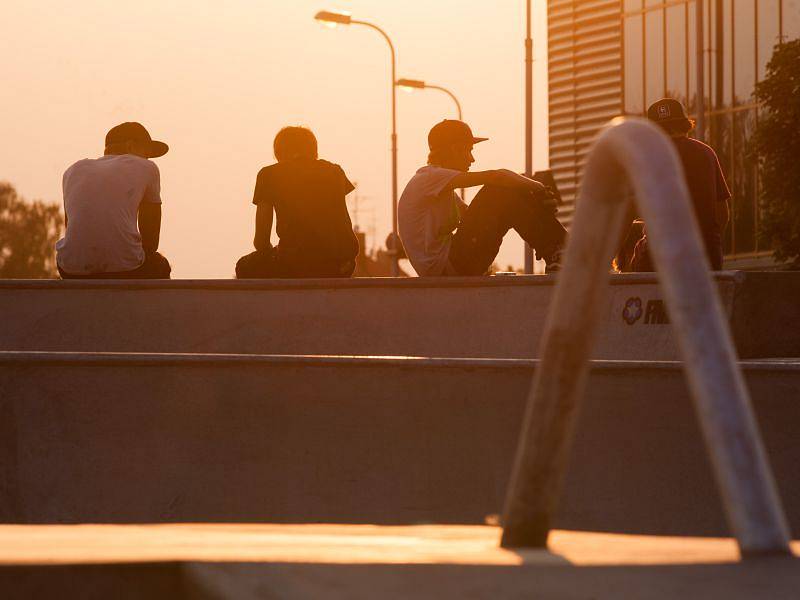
(112, 211)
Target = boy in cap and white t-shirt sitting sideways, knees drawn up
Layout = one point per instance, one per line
(444, 236)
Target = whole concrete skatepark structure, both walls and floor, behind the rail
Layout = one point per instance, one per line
(182, 408)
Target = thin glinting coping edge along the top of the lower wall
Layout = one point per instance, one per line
(110, 359)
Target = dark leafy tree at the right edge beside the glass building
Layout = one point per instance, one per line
(777, 142)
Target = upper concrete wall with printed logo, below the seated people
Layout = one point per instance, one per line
(453, 317)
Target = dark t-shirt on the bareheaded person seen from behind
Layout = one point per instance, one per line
(311, 216)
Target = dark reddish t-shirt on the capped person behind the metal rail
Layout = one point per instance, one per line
(706, 184)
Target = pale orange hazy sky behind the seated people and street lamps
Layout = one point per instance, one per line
(217, 80)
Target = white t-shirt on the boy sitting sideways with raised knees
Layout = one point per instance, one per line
(428, 214)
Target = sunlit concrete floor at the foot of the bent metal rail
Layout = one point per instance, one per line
(363, 561)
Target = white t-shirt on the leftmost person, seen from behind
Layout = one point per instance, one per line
(101, 201)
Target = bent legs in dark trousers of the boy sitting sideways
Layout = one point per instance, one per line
(494, 211)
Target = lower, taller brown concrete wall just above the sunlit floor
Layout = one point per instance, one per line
(116, 438)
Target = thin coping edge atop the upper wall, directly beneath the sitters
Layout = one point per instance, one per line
(305, 284)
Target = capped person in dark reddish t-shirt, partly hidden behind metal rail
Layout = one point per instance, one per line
(704, 178)
